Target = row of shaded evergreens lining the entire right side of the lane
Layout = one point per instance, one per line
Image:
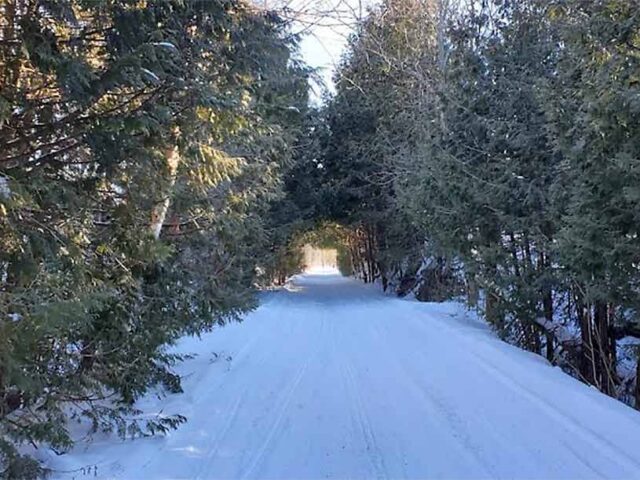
(492, 147)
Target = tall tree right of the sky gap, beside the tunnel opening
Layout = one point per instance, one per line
(365, 123)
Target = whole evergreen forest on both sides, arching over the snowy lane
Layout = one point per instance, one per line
(161, 162)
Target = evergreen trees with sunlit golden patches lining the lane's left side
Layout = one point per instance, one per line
(142, 146)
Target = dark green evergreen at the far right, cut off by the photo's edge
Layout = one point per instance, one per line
(593, 115)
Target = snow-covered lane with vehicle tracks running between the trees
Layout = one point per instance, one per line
(331, 379)
